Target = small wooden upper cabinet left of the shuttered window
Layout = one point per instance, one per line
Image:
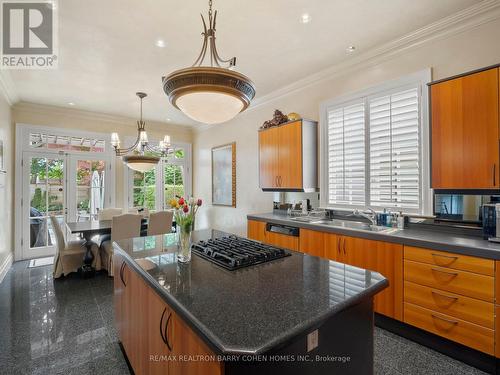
(288, 157)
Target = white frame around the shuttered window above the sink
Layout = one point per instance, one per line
(418, 80)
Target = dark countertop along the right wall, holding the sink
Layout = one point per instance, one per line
(419, 237)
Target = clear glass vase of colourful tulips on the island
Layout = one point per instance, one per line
(184, 214)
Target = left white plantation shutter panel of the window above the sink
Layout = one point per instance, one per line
(346, 155)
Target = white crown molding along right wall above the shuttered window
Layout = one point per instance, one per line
(474, 16)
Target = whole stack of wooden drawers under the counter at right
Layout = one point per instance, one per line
(451, 295)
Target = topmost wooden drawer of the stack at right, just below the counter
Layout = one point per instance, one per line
(451, 260)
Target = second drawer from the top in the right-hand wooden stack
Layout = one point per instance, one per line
(455, 281)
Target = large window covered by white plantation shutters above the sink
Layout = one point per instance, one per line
(373, 149)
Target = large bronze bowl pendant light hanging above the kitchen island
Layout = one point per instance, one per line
(209, 94)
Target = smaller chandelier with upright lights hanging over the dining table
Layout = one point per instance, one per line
(141, 156)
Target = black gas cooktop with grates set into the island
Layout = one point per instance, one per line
(232, 252)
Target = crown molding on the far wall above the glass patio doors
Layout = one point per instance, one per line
(44, 109)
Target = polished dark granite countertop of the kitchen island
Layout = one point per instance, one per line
(253, 309)
